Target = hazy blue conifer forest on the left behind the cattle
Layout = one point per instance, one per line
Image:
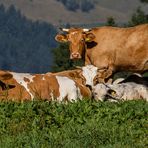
(25, 46)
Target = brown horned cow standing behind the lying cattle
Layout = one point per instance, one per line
(111, 49)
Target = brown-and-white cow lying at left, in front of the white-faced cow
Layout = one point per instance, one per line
(25, 86)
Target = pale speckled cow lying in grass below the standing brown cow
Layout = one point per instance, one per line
(132, 88)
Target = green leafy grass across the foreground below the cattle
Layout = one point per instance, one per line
(86, 123)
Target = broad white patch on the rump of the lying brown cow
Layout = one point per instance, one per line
(68, 89)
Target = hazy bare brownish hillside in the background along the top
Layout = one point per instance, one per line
(54, 12)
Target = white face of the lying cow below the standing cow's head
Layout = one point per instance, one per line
(89, 72)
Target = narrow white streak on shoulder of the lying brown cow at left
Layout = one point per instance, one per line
(19, 77)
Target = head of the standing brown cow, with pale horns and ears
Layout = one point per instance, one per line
(77, 38)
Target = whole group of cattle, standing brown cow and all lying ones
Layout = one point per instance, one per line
(105, 50)
